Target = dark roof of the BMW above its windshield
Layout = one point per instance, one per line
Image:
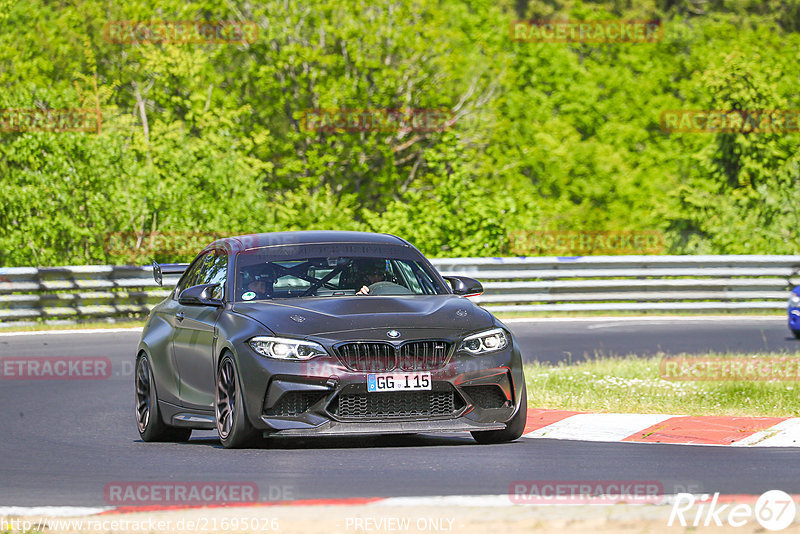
(305, 237)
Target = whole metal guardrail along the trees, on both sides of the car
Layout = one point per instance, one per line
(530, 284)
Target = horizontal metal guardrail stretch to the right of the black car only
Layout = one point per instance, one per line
(637, 283)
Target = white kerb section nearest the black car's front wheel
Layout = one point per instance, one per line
(598, 427)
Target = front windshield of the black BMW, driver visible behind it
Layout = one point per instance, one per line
(259, 276)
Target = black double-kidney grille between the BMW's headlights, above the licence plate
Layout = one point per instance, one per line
(382, 357)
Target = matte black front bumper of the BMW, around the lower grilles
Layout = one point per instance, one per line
(323, 397)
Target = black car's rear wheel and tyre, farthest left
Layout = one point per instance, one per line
(148, 416)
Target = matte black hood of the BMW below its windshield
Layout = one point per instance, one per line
(328, 315)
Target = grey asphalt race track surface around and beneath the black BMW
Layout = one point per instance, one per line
(64, 441)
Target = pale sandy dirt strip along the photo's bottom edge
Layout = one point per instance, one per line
(383, 518)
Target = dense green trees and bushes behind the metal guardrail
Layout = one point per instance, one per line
(202, 140)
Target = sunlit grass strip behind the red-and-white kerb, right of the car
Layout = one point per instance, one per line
(633, 384)
